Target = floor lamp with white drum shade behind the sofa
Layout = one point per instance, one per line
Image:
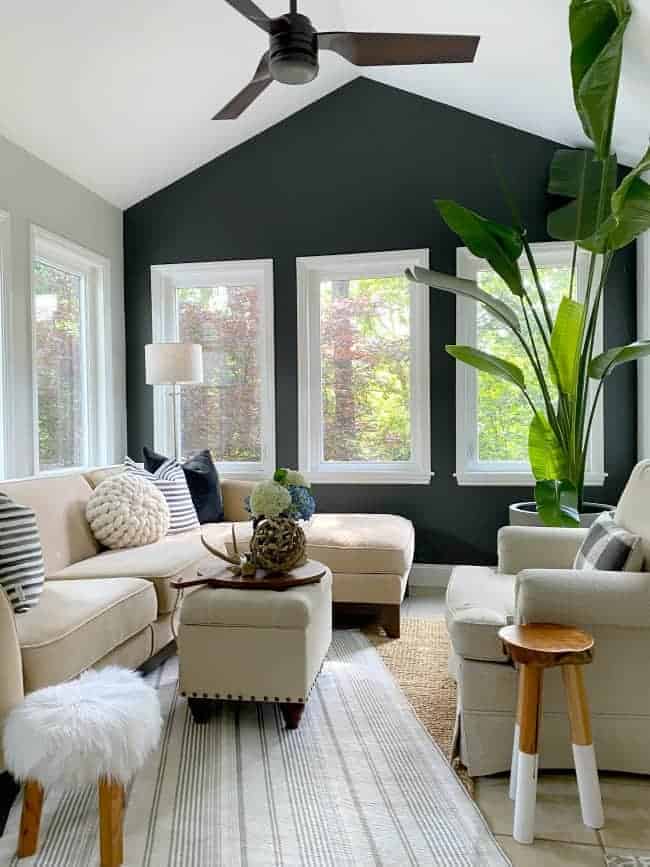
(173, 364)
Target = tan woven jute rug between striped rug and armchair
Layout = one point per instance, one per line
(418, 662)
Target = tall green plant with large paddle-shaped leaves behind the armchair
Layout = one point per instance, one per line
(600, 218)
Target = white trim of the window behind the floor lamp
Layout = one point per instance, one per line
(165, 279)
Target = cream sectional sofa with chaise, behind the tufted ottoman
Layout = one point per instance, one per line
(116, 607)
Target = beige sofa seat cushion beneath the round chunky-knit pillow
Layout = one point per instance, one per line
(174, 557)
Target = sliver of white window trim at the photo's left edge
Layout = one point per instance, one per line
(6, 416)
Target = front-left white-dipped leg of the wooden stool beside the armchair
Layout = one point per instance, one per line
(531, 679)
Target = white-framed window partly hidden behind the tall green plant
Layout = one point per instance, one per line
(492, 420)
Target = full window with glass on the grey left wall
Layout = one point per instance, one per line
(69, 365)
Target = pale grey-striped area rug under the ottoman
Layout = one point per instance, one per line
(359, 783)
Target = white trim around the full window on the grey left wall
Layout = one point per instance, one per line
(96, 362)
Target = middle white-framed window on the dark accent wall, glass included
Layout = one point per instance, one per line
(363, 355)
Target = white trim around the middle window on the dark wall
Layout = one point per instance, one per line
(310, 271)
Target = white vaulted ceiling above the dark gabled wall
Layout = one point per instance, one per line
(119, 95)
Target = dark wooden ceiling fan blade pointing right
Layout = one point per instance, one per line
(399, 49)
